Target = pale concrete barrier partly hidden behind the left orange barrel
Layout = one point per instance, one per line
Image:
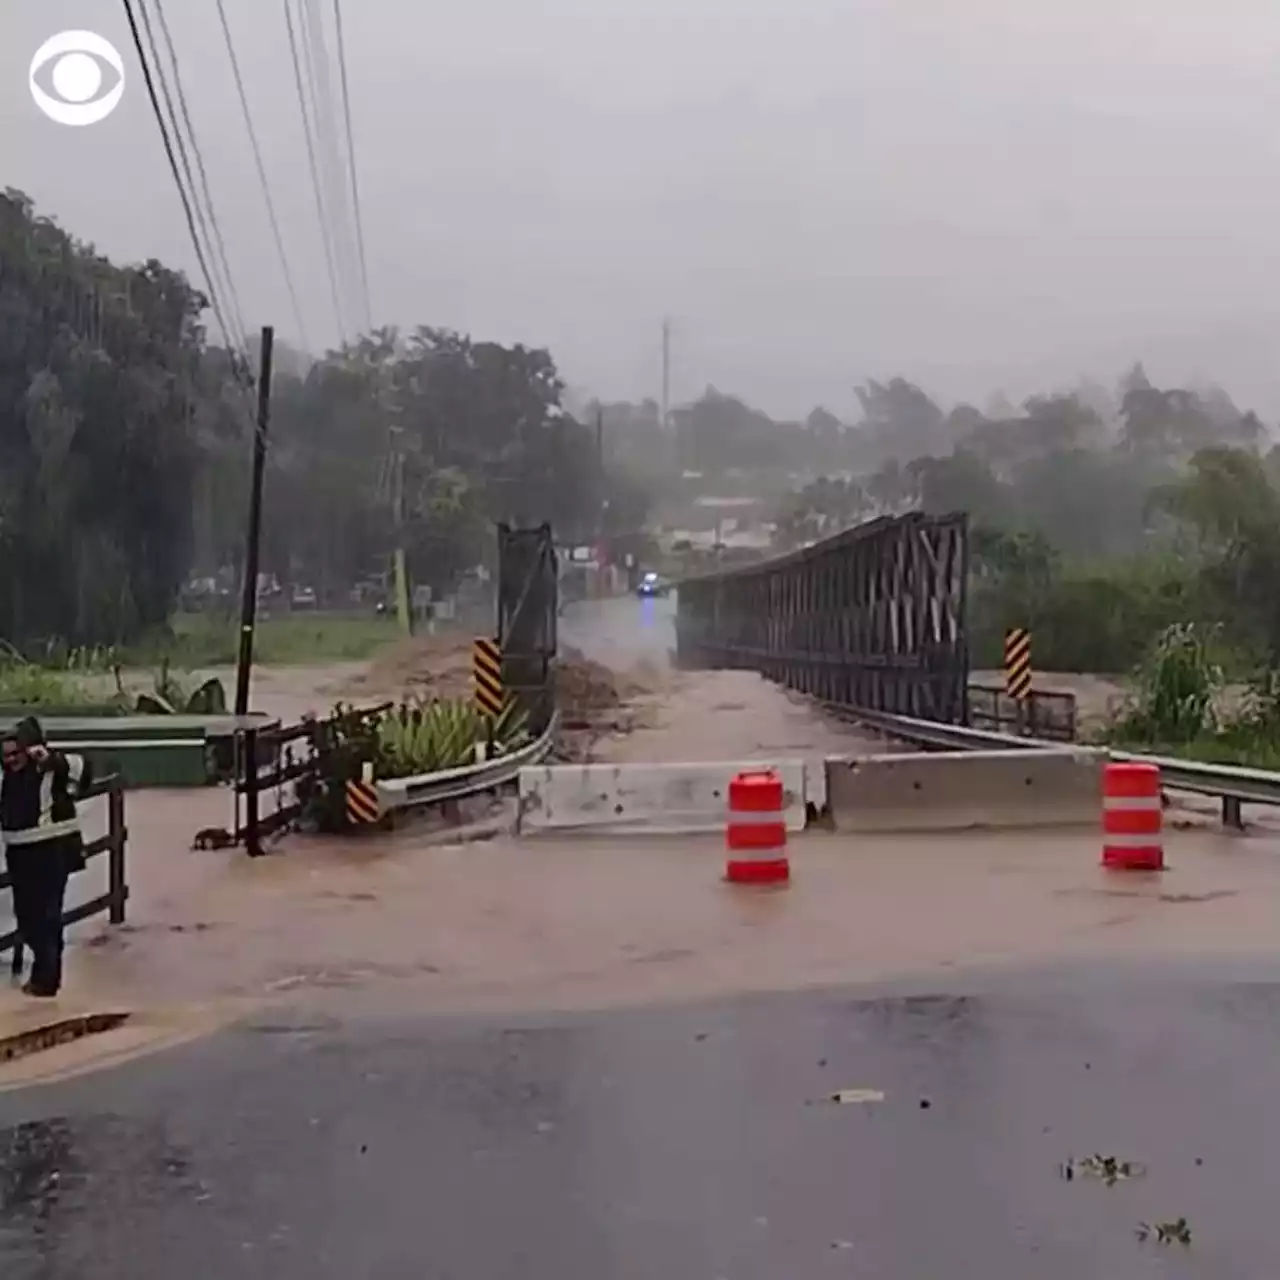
(646, 799)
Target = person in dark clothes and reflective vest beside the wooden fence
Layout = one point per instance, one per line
(43, 844)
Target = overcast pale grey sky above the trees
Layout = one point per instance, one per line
(975, 194)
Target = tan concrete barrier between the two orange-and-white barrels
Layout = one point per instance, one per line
(964, 790)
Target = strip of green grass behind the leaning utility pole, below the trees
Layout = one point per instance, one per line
(205, 641)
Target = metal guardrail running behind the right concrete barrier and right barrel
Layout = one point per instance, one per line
(1232, 784)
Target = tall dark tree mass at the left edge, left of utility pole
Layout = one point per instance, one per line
(98, 365)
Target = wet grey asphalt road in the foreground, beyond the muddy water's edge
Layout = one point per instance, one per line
(674, 1144)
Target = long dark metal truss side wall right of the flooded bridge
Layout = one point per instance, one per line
(872, 618)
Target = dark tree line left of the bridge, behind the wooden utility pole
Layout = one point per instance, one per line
(127, 438)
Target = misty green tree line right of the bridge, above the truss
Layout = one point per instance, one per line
(1098, 519)
